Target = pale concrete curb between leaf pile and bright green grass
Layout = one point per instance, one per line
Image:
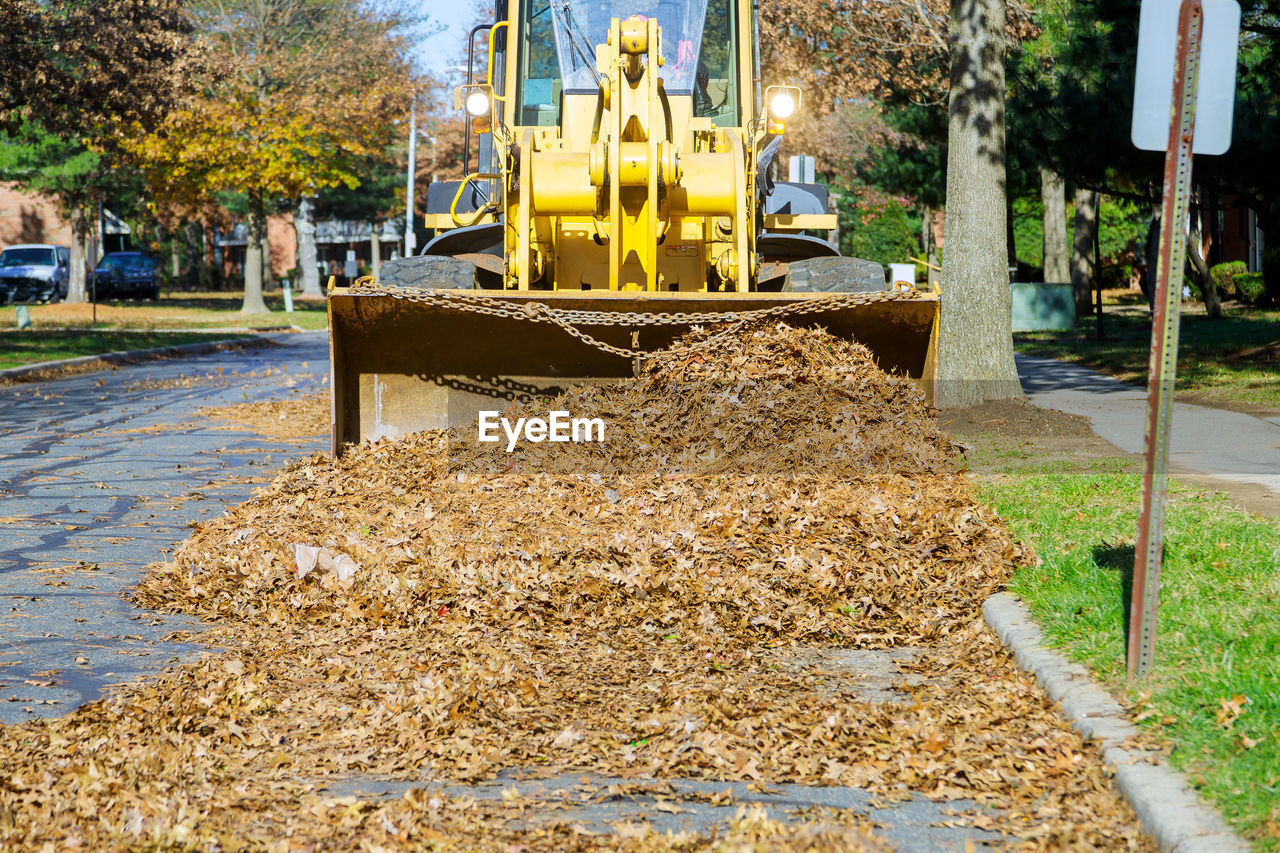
(1167, 805)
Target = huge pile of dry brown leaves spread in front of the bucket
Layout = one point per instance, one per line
(600, 608)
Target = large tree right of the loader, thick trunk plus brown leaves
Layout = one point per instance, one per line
(927, 52)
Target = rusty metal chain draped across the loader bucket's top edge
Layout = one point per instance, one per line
(570, 320)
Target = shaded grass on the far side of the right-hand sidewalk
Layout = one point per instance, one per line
(1205, 348)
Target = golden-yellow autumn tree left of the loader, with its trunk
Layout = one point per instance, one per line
(310, 89)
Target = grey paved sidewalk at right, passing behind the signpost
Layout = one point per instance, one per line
(1213, 443)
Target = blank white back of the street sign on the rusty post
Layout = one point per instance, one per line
(1154, 85)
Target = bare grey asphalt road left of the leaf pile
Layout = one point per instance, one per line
(100, 475)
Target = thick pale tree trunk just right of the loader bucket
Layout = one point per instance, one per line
(976, 358)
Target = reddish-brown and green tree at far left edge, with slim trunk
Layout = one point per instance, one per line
(76, 77)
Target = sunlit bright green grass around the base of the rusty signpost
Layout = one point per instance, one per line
(1219, 628)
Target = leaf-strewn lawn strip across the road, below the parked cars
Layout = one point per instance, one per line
(209, 311)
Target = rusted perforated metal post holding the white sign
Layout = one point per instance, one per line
(1149, 553)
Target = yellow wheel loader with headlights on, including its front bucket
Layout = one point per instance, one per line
(624, 191)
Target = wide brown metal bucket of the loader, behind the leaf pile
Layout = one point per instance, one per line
(401, 366)
